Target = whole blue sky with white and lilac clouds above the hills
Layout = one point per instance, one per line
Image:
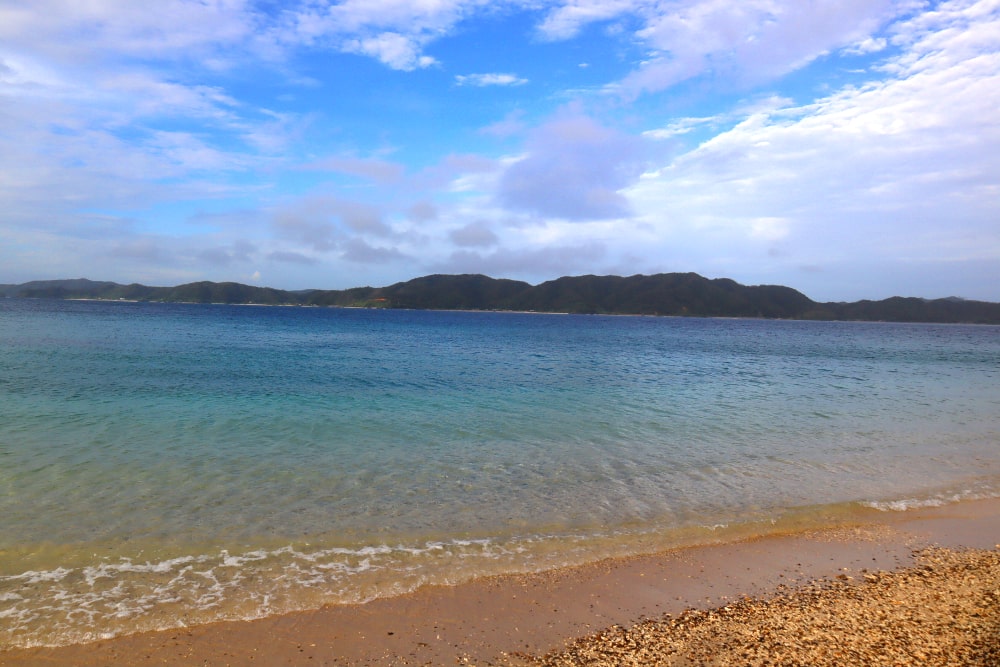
(847, 148)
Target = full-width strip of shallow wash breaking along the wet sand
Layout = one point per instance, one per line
(110, 598)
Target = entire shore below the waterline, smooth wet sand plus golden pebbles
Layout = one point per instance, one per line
(737, 591)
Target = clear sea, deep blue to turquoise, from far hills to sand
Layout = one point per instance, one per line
(167, 465)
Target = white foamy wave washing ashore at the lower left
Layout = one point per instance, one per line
(73, 605)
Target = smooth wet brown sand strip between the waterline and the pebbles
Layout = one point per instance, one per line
(493, 620)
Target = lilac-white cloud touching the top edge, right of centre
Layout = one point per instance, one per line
(745, 42)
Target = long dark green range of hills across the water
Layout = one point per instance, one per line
(675, 294)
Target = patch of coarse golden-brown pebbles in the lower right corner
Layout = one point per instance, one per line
(944, 611)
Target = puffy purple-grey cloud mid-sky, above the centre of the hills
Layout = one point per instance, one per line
(574, 169)
